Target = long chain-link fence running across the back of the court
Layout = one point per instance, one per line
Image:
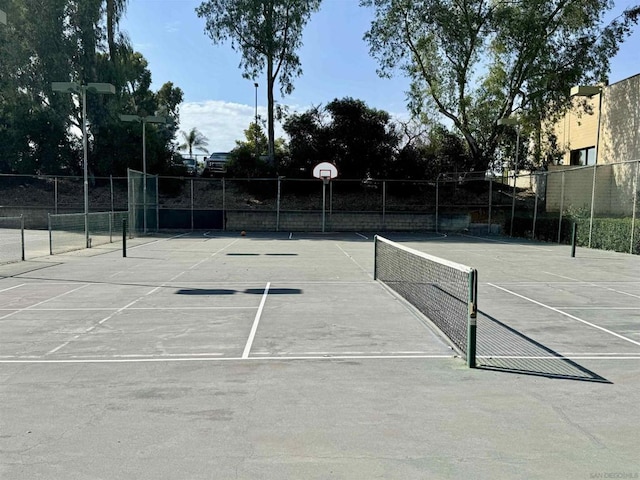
(601, 200)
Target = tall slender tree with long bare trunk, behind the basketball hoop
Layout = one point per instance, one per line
(267, 33)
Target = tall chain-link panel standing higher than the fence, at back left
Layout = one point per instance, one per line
(143, 202)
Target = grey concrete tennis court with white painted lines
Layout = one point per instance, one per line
(212, 355)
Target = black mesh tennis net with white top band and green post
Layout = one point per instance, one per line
(443, 291)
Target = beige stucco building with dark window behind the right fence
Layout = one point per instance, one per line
(604, 181)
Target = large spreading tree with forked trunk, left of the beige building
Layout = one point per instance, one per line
(476, 61)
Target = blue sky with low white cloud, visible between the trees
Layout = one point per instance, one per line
(335, 62)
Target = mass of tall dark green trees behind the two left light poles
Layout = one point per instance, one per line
(66, 40)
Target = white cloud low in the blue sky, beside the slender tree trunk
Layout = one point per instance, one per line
(221, 122)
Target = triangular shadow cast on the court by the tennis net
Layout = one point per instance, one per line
(504, 349)
